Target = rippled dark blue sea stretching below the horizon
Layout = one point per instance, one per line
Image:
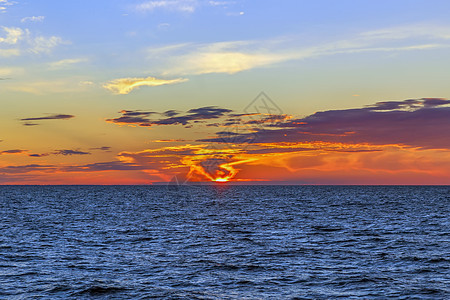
(224, 242)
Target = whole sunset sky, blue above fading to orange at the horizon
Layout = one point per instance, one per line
(245, 92)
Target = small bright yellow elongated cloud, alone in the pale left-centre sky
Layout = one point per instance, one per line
(126, 85)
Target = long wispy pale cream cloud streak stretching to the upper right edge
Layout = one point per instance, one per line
(236, 56)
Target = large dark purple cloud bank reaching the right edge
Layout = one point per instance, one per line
(421, 123)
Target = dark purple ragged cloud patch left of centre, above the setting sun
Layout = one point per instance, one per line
(171, 117)
